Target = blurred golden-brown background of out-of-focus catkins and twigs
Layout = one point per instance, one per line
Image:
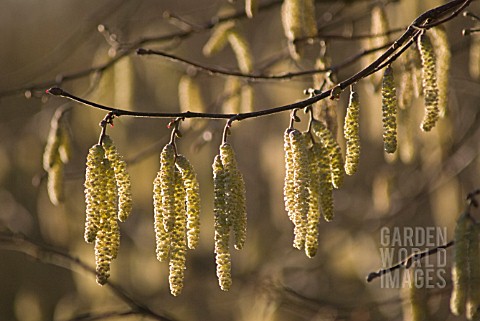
(49, 42)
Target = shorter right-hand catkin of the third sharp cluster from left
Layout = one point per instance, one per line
(235, 191)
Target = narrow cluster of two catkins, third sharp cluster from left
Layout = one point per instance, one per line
(229, 211)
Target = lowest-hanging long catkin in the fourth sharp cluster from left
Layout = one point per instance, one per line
(313, 217)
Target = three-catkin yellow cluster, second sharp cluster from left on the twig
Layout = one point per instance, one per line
(176, 203)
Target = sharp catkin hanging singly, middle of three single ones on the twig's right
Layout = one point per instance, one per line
(389, 111)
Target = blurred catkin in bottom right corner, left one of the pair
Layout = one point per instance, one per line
(460, 268)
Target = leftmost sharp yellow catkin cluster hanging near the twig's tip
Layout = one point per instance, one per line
(108, 199)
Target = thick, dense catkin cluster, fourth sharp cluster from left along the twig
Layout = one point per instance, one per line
(307, 188)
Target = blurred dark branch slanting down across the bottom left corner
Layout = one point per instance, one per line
(51, 255)
